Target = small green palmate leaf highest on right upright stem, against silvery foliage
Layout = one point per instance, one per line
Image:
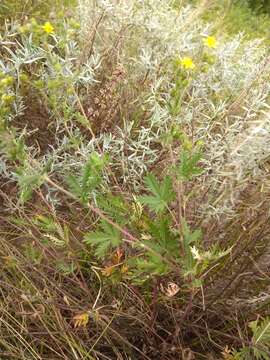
(188, 167)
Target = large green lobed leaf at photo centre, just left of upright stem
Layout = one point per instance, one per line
(162, 193)
